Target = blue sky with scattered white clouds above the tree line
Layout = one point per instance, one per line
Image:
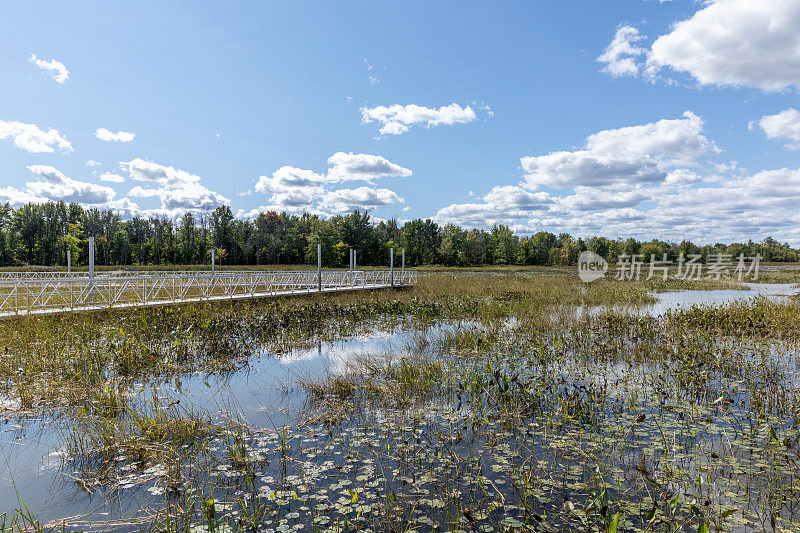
(268, 105)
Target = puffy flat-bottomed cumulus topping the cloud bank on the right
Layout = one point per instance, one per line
(635, 154)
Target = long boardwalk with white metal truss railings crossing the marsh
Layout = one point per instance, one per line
(24, 293)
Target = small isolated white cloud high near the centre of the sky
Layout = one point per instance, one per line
(397, 119)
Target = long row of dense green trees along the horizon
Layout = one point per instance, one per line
(41, 234)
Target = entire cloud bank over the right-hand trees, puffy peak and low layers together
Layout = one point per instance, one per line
(693, 197)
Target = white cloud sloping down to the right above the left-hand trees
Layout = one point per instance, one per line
(178, 190)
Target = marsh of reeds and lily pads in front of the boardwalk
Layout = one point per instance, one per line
(507, 400)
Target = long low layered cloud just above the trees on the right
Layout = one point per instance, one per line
(716, 208)
